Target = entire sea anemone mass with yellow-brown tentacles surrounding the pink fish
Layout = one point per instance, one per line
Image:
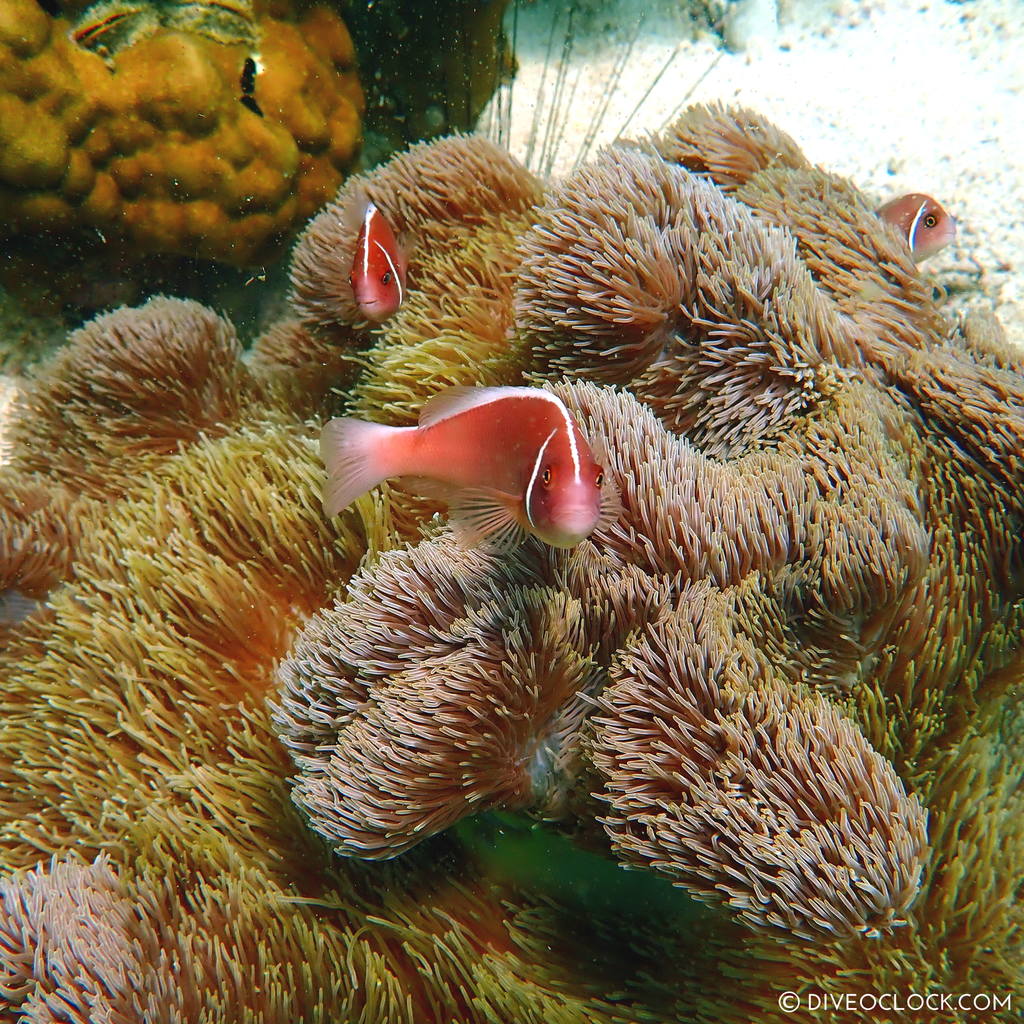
(782, 678)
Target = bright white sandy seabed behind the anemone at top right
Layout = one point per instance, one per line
(901, 98)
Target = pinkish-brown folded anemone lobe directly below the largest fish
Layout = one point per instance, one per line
(488, 718)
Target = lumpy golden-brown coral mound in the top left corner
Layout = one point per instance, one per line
(169, 142)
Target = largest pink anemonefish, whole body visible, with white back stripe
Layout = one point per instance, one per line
(509, 461)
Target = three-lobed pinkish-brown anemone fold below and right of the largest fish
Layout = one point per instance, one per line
(450, 680)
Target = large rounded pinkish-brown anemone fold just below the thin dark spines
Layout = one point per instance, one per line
(636, 274)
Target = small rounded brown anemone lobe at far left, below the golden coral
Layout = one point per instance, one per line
(127, 390)
